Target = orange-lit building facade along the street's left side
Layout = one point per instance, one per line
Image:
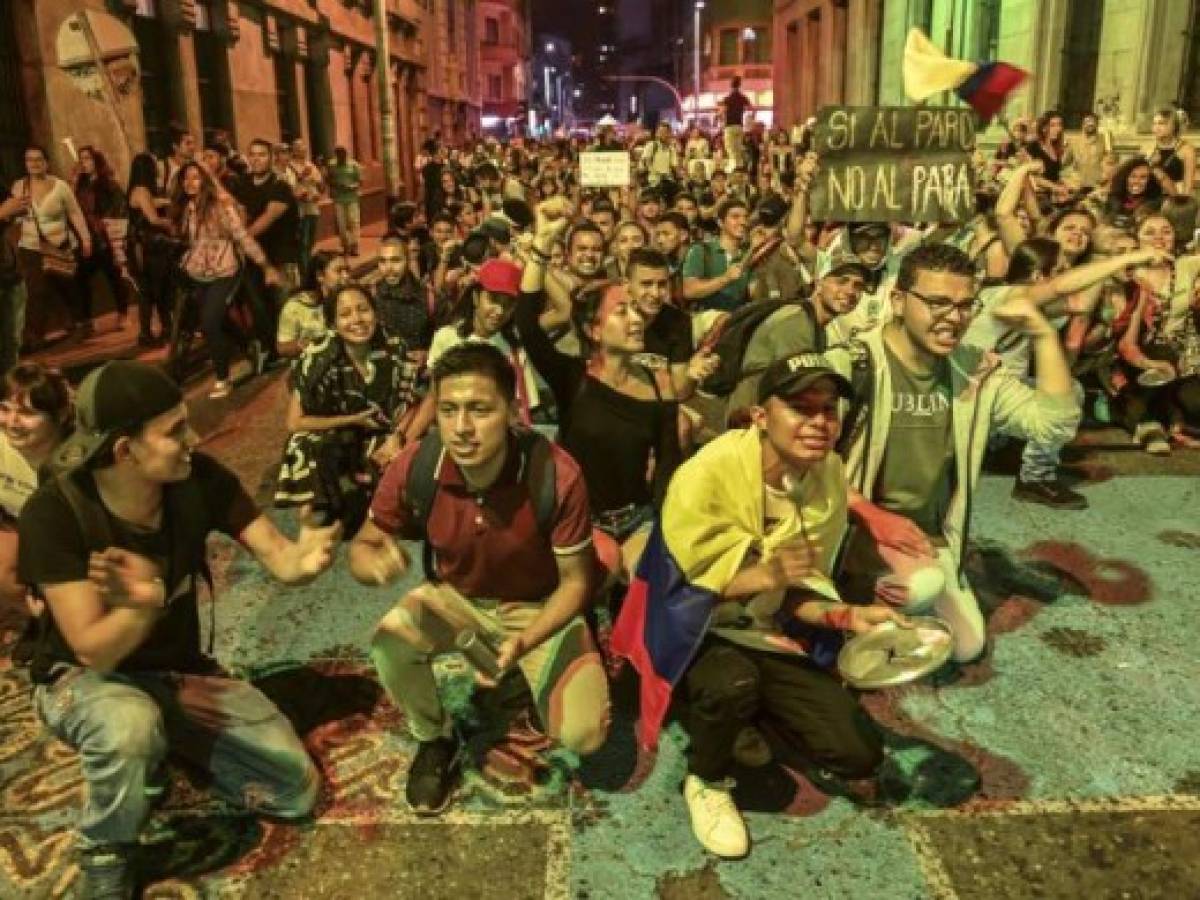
(277, 69)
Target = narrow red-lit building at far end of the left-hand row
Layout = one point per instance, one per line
(505, 64)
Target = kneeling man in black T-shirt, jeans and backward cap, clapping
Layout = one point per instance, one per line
(116, 545)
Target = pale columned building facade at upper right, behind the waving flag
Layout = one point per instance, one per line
(1123, 59)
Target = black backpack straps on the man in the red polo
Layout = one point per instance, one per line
(537, 471)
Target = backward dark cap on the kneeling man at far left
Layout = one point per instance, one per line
(117, 399)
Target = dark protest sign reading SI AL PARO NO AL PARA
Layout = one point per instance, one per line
(895, 165)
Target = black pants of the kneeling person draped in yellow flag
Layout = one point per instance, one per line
(730, 687)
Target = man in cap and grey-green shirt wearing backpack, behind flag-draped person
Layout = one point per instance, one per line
(800, 327)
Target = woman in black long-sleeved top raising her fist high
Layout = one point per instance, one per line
(617, 418)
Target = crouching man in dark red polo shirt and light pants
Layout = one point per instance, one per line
(518, 584)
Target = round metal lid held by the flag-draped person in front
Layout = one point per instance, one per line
(890, 656)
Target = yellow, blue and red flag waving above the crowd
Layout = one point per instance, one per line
(985, 86)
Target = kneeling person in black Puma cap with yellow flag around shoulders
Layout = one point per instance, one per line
(755, 520)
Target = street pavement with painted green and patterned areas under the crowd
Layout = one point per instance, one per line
(1063, 766)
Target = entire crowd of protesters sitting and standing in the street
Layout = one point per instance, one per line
(547, 385)
